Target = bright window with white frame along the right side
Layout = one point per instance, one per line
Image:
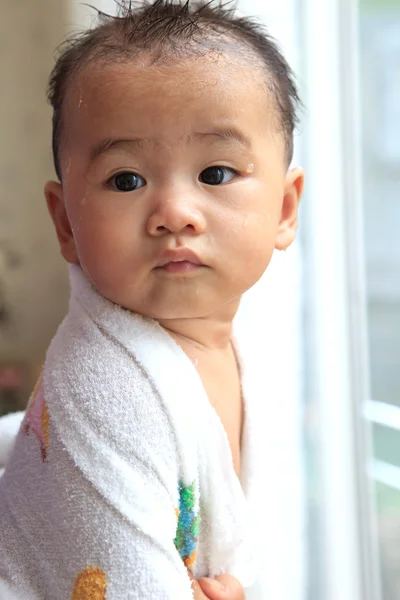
(352, 263)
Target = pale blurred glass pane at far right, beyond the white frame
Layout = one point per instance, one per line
(380, 64)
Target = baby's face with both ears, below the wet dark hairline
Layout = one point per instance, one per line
(163, 160)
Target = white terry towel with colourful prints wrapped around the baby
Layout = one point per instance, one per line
(121, 471)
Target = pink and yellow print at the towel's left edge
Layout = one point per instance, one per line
(37, 418)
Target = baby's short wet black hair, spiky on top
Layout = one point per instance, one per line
(166, 28)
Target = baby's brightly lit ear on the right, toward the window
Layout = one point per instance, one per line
(287, 228)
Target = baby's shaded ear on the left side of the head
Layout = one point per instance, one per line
(55, 203)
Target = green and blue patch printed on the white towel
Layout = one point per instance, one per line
(187, 530)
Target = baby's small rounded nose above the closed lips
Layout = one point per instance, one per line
(175, 215)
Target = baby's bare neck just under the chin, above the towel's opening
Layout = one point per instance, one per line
(213, 332)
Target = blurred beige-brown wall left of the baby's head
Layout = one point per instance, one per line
(32, 276)
